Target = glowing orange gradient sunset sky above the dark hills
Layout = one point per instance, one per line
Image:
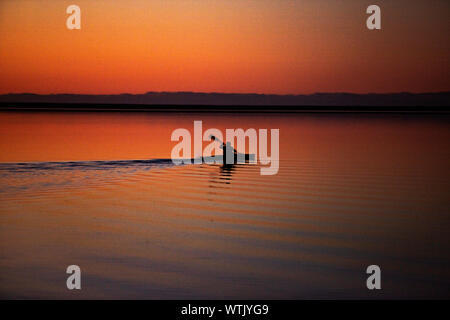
(261, 46)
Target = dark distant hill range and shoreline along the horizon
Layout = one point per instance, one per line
(190, 99)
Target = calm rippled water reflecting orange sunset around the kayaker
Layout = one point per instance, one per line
(352, 190)
